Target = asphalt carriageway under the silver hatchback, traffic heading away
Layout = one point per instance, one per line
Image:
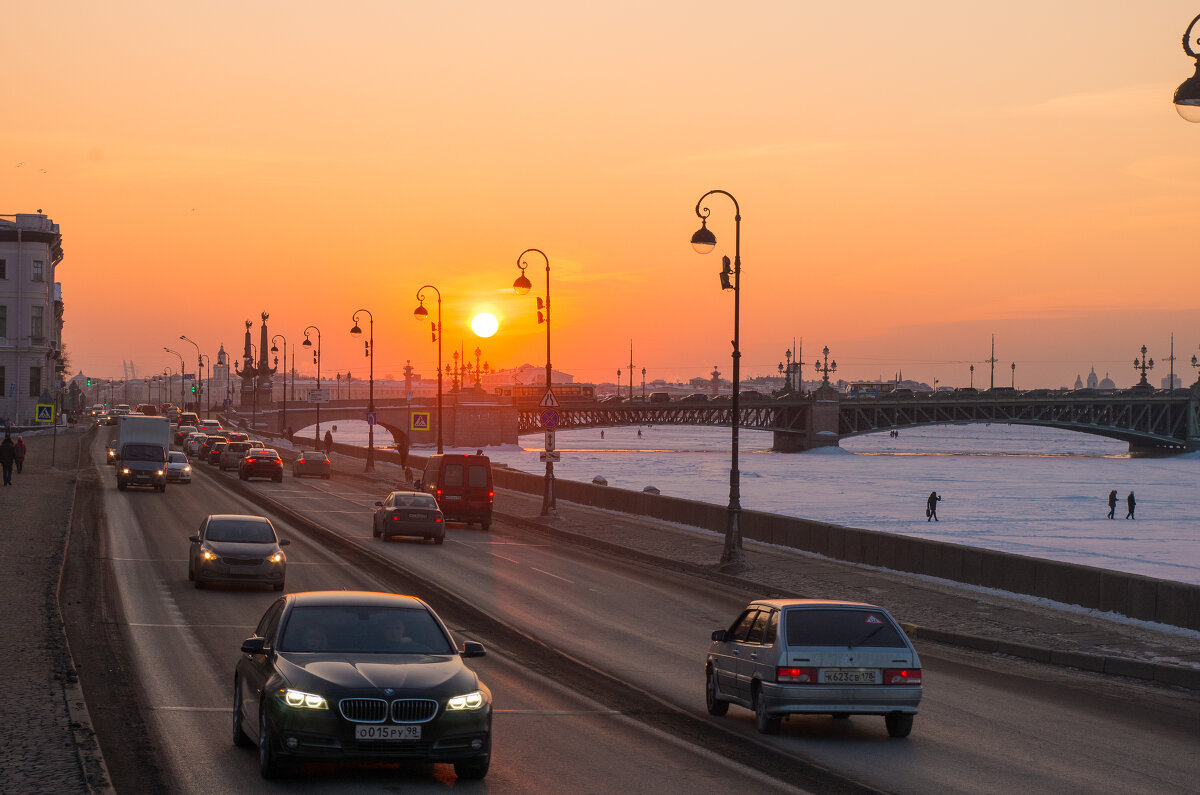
(987, 724)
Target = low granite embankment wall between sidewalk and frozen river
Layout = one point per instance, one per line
(1129, 595)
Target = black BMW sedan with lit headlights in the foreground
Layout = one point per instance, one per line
(359, 677)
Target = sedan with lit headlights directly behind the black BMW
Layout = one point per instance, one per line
(233, 548)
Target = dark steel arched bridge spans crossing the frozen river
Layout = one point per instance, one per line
(1150, 422)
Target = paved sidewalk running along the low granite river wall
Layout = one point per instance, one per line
(933, 611)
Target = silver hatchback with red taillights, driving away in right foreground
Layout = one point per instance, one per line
(784, 657)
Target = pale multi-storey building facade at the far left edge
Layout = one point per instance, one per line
(31, 315)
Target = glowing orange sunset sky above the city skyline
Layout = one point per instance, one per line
(913, 178)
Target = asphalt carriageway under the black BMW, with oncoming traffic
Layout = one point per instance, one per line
(184, 644)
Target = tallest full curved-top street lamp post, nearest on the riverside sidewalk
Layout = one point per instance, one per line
(704, 242)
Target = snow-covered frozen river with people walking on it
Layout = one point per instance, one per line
(1018, 489)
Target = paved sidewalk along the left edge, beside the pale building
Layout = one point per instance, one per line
(45, 732)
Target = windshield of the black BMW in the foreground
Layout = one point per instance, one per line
(364, 631)
